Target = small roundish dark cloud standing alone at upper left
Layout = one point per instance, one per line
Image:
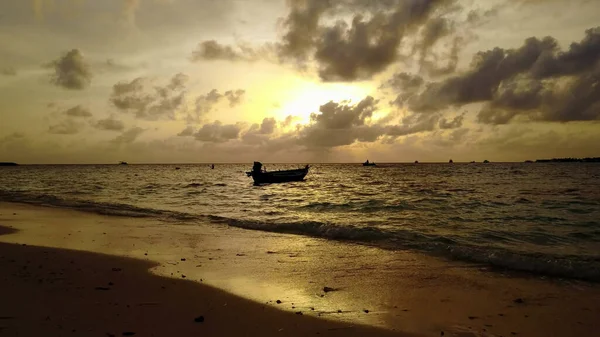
(71, 71)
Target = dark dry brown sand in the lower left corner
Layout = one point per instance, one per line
(50, 291)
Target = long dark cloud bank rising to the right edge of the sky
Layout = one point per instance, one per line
(536, 81)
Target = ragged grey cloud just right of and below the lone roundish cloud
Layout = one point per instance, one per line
(162, 102)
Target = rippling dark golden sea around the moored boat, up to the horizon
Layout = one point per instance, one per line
(540, 218)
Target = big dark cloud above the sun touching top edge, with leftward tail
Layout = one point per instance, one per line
(343, 51)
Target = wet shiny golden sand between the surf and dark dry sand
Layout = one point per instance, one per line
(399, 290)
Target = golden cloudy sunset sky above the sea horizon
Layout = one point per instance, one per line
(203, 81)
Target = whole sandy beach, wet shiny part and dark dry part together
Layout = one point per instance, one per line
(66, 272)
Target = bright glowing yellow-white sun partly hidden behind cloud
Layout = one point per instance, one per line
(306, 97)
